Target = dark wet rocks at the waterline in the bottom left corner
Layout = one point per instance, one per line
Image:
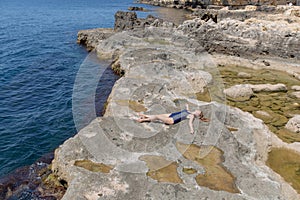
(33, 182)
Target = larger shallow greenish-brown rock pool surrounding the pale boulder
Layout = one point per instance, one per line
(274, 108)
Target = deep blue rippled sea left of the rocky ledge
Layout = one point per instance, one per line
(39, 60)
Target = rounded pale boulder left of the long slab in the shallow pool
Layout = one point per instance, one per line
(239, 92)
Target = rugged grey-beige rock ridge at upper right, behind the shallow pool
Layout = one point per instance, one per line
(250, 38)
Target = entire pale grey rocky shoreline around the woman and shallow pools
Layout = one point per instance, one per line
(164, 67)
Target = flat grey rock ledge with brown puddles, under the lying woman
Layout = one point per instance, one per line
(114, 157)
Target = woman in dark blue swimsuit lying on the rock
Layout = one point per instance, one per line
(174, 118)
